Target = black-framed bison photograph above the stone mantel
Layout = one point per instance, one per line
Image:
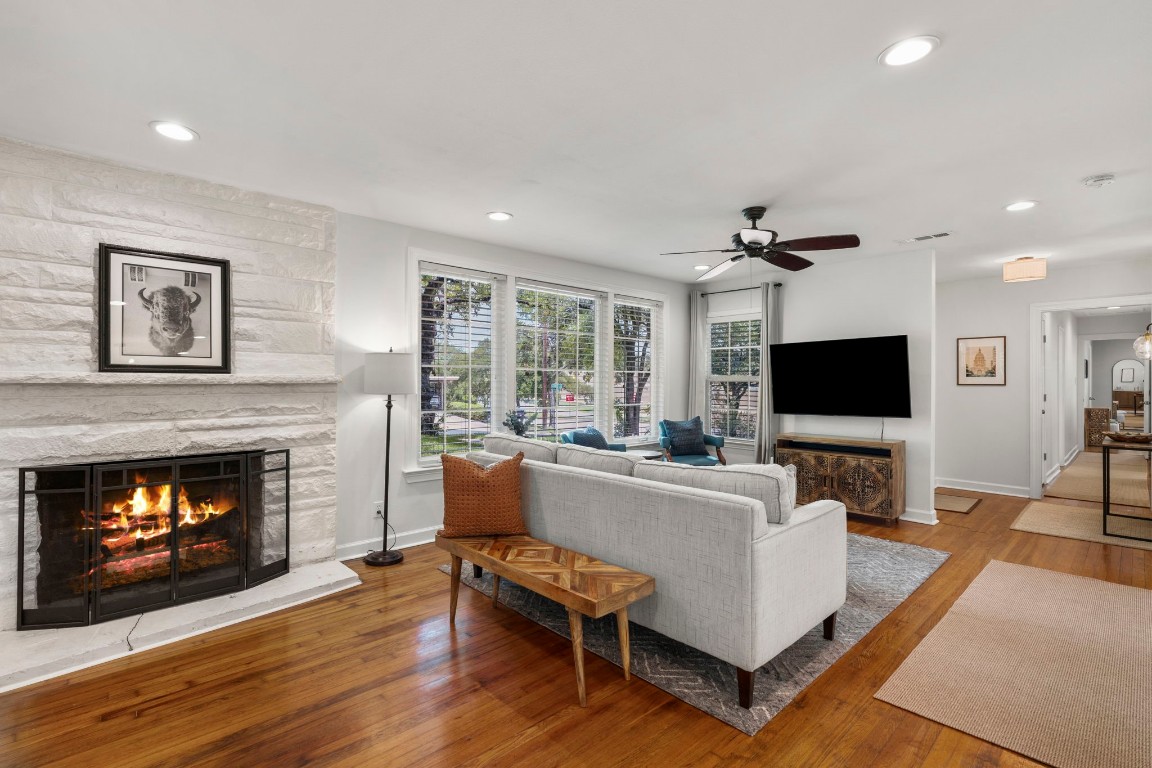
(163, 313)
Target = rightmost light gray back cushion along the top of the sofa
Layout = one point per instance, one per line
(766, 483)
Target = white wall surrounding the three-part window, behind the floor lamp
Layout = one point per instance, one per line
(375, 311)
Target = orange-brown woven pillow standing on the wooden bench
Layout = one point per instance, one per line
(479, 501)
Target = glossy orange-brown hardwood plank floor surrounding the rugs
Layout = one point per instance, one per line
(374, 676)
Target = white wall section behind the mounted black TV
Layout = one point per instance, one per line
(882, 296)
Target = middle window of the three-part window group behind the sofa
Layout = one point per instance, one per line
(556, 360)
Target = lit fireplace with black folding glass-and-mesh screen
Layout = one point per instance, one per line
(101, 542)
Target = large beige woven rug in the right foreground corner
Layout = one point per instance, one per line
(1056, 667)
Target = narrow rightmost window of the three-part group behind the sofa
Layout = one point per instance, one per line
(633, 348)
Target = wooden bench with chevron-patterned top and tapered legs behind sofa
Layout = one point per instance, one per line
(585, 585)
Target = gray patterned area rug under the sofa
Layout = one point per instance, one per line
(881, 576)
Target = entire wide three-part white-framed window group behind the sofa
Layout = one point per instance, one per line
(567, 356)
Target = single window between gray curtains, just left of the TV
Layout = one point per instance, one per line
(734, 378)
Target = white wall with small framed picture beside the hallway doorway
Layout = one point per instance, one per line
(983, 434)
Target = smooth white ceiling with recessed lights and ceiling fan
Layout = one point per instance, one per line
(616, 131)
